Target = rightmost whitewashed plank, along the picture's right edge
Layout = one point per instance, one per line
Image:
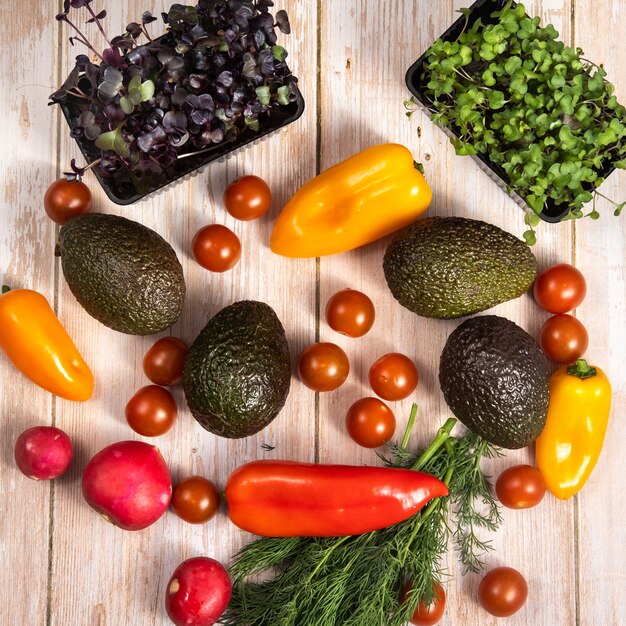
(601, 256)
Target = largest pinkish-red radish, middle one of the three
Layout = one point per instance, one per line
(129, 484)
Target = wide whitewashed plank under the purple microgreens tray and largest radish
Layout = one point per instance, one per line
(124, 574)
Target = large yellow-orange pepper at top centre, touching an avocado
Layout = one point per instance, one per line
(355, 202)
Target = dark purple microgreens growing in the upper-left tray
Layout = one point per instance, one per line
(217, 72)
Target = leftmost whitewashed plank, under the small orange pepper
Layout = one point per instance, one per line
(27, 165)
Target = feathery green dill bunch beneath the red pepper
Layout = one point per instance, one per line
(377, 578)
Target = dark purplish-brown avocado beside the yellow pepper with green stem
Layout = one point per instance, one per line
(494, 377)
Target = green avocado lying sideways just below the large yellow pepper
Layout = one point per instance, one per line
(449, 267)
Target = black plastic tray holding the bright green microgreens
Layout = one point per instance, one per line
(482, 9)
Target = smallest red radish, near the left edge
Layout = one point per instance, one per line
(43, 452)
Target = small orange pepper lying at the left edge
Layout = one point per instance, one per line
(38, 345)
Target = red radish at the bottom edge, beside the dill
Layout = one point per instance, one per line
(198, 592)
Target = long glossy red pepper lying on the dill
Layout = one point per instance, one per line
(287, 499)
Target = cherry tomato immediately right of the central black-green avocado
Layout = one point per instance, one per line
(323, 366)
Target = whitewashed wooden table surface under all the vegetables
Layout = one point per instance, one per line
(63, 565)
